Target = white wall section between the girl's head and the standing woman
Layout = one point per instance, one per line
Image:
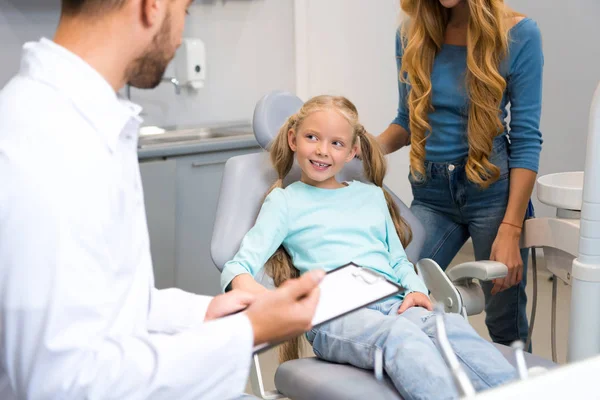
(348, 49)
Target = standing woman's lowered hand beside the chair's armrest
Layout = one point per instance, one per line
(506, 249)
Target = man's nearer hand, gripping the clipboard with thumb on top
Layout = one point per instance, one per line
(287, 311)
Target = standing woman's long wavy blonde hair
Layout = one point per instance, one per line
(487, 45)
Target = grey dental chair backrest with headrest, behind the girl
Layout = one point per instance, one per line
(247, 178)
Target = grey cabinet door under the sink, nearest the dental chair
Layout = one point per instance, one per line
(198, 185)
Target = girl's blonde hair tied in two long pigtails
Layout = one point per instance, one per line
(279, 266)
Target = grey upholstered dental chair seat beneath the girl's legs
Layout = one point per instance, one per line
(314, 379)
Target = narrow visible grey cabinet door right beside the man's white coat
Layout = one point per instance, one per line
(158, 180)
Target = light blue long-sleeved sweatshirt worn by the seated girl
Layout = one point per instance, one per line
(326, 228)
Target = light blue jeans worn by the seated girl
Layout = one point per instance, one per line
(410, 356)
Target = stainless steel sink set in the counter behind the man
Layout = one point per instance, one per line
(178, 135)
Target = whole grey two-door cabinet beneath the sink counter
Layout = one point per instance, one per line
(181, 195)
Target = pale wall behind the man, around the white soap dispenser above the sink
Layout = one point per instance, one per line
(249, 44)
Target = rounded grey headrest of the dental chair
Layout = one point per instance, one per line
(271, 112)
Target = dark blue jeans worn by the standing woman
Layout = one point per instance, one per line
(453, 209)
